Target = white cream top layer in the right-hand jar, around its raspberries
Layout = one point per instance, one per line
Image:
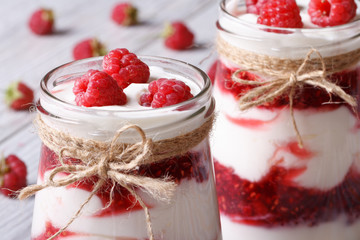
(240, 29)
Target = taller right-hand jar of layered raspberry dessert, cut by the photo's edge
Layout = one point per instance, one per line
(286, 143)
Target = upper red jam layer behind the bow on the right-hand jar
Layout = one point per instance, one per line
(305, 97)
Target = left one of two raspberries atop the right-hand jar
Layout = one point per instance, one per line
(280, 13)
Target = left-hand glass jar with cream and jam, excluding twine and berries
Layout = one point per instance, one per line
(114, 212)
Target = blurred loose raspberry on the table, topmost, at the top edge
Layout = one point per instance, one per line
(124, 14)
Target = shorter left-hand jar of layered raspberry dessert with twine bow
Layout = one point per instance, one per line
(186, 208)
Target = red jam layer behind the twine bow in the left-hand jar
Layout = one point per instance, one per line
(191, 165)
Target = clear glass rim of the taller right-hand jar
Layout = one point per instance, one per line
(231, 17)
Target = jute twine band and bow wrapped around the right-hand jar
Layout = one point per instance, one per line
(286, 75)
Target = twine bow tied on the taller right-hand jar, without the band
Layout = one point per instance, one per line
(266, 91)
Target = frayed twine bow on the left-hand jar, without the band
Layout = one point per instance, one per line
(109, 167)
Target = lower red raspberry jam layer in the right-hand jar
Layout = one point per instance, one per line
(276, 200)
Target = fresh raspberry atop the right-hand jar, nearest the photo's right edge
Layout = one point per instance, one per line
(331, 13)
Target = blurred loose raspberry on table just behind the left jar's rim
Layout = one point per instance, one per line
(88, 48)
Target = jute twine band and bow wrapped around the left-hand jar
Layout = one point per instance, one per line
(114, 160)
